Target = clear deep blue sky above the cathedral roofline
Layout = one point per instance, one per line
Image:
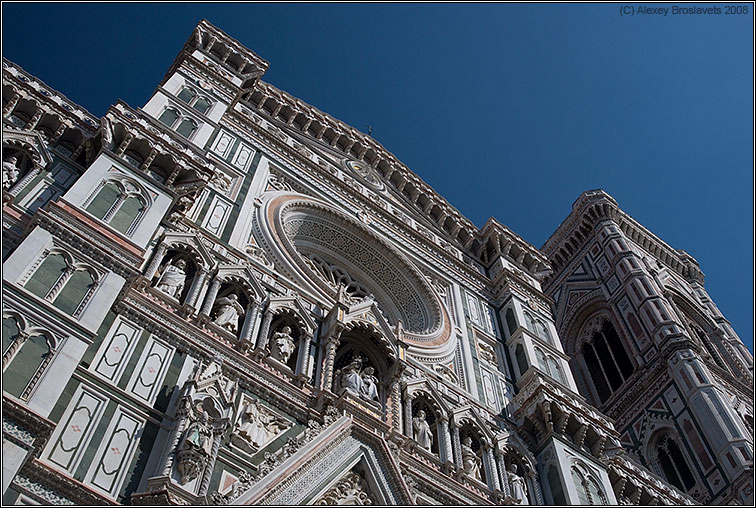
(510, 110)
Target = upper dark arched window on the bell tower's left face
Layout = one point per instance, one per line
(607, 361)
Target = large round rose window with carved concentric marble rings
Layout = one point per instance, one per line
(309, 240)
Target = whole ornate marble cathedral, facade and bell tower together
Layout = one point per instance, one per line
(228, 296)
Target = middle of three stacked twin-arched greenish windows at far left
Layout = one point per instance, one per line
(67, 285)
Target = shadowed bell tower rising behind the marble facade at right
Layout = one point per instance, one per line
(650, 349)
